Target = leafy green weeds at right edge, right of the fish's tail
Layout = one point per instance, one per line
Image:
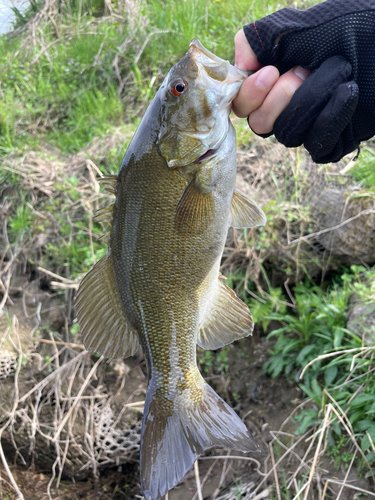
(316, 332)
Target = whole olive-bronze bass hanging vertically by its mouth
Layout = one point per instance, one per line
(159, 286)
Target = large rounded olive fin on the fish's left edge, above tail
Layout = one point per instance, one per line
(104, 326)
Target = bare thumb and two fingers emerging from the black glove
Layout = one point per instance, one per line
(265, 94)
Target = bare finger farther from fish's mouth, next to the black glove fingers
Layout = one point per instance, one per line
(262, 119)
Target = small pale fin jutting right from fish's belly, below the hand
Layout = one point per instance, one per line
(244, 212)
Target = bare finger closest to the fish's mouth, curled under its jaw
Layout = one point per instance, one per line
(254, 90)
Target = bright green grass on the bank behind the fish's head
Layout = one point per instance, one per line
(68, 93)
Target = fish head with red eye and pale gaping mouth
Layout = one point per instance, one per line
(196, 101)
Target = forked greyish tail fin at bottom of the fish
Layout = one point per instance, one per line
(176, 433)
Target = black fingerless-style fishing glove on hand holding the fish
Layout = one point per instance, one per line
(334, 109)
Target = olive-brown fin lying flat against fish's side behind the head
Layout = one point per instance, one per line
(194, 210)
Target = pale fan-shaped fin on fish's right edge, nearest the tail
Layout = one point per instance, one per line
(228, 319)
